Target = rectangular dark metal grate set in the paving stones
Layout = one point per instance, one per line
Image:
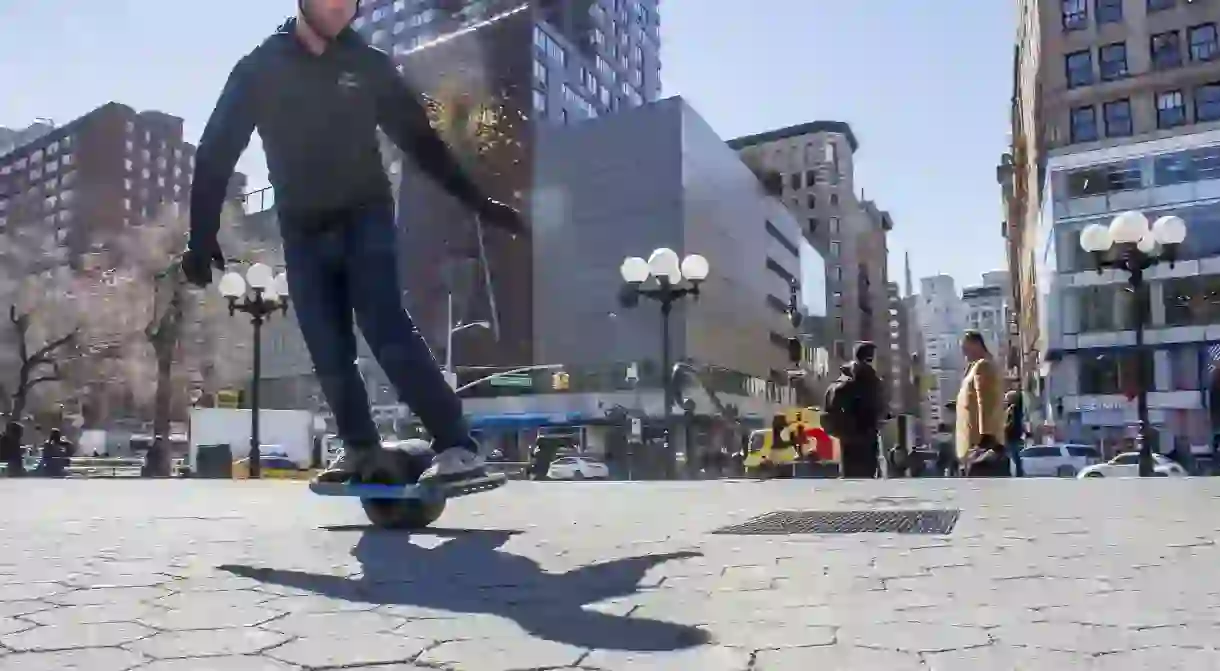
(789, 523)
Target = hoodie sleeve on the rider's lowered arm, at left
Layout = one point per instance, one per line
(225, 138)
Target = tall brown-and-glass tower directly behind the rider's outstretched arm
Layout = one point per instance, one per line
(491, 70)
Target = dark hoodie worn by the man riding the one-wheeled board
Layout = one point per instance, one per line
(318, 117)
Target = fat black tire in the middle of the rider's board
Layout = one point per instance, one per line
(403, 467)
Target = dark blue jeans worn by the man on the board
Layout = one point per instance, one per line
(347, 265)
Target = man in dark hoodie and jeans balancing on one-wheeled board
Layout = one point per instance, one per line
(318, 95)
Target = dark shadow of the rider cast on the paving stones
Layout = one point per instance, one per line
(469, 574)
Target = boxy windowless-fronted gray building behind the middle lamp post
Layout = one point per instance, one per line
(653, 178)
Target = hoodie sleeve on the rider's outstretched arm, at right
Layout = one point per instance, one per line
(403, 118)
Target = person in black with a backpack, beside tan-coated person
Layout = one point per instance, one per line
(853, 413)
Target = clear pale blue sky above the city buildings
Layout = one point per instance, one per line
(925, 90)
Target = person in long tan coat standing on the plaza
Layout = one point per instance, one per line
(980, 413)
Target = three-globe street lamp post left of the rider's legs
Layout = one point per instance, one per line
(259, 295)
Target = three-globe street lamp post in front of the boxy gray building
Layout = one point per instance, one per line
(667, 281)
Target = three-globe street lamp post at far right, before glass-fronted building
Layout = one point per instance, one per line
(1130, 245)
